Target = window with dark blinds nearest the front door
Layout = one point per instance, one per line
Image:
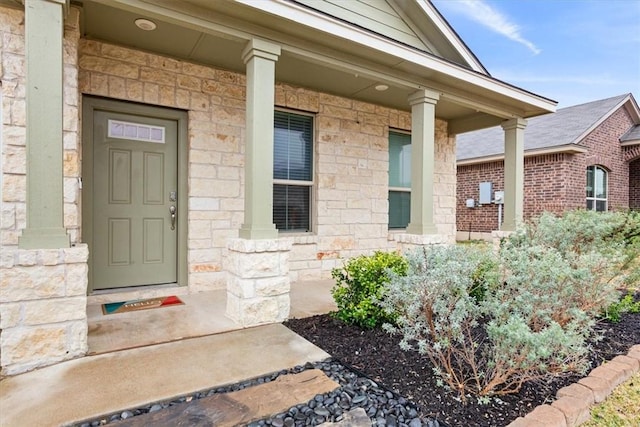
(292, 171)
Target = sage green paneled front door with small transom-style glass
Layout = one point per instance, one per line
(134, 224)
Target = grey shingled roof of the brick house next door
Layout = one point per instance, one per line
(563, 129)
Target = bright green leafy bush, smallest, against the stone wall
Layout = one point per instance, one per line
(359, 287)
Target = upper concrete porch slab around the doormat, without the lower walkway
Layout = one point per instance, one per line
(201, 314)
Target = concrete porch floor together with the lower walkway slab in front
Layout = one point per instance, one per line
(146, 357)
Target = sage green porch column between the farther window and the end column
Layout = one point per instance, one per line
(423, 131)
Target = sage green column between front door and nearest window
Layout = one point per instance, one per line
(260, 58)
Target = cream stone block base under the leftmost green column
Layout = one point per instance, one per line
(43, 307)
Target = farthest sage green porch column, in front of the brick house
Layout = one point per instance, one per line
(513, 173)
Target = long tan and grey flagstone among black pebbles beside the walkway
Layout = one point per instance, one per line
(243, 406)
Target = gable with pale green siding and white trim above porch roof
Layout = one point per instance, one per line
(417, 24)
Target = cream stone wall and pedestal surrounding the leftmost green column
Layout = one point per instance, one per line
(43, 294)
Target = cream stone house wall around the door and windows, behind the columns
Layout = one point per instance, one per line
(350, 206)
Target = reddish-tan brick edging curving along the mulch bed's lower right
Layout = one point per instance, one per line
(574, 401)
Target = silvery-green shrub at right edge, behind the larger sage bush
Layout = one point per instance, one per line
(592, 252)
